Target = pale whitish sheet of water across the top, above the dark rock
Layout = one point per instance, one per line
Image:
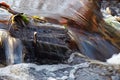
(65, 8)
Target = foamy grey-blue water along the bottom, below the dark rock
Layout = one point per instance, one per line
(89, 70)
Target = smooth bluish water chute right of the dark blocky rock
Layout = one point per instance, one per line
(94, 45)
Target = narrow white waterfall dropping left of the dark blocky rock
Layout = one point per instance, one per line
(13, 47)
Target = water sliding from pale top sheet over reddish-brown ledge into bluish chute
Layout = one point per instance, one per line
(90, 43)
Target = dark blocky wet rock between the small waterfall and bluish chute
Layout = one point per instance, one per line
(49, 45)
